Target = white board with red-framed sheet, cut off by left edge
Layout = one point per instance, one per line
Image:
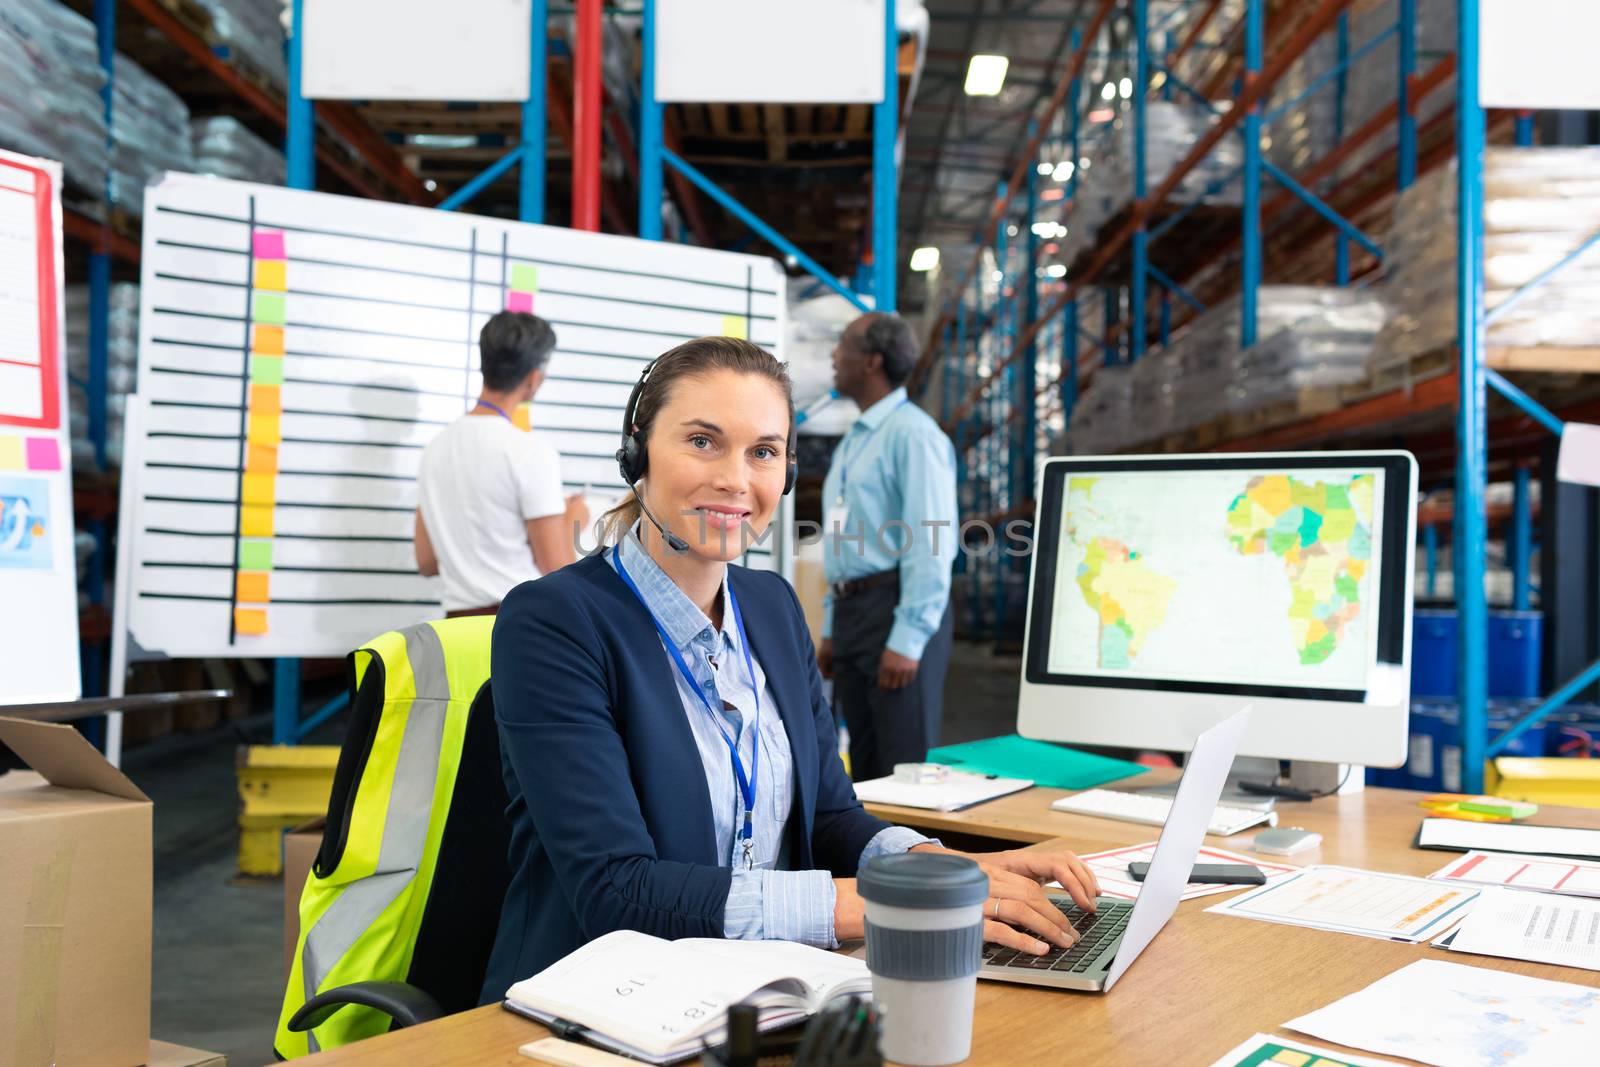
(39, 575)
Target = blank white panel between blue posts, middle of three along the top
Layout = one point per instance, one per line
(780, 52)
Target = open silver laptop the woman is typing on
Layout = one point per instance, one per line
(1113, 937)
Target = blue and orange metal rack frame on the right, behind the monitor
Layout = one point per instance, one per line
(988, 362)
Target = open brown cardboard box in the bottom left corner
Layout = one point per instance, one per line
(74, 906)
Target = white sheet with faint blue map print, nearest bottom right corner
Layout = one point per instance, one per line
(1463, 1017)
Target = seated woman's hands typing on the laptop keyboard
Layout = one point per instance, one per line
(1018, 913)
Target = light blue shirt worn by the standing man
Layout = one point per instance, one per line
(895, 466)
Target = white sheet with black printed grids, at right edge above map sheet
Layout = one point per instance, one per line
(1538, 927)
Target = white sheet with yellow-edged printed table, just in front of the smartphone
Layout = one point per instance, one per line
(1343, 900)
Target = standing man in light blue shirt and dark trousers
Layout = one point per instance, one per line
(889, 545)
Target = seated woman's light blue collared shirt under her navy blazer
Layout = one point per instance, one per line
(769, 901)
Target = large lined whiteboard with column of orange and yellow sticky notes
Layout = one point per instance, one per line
(297, 353)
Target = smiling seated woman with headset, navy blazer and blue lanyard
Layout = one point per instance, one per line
(671, 764)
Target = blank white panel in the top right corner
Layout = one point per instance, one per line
(1540, 54)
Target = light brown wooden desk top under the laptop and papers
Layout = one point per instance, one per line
(1204, 985)
